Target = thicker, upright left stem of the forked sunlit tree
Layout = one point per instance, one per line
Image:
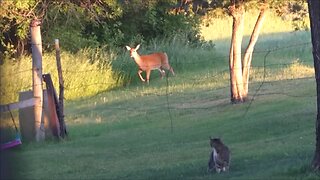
(235, 64)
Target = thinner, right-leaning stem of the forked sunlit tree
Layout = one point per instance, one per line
(248, 54)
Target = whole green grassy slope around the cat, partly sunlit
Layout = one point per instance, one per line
(130, 133)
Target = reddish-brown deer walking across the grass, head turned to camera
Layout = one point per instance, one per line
(150, 62)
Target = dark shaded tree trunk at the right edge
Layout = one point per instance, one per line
(314, 13)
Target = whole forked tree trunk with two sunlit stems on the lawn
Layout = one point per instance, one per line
(239, 70)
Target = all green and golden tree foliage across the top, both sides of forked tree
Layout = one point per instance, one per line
(107, 23)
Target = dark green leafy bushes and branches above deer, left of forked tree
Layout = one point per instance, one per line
(93, 23)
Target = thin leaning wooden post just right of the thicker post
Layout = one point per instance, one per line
(63, 130)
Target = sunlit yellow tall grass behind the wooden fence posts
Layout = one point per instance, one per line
(84, 75)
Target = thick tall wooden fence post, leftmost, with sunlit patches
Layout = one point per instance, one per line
(36, 46)
